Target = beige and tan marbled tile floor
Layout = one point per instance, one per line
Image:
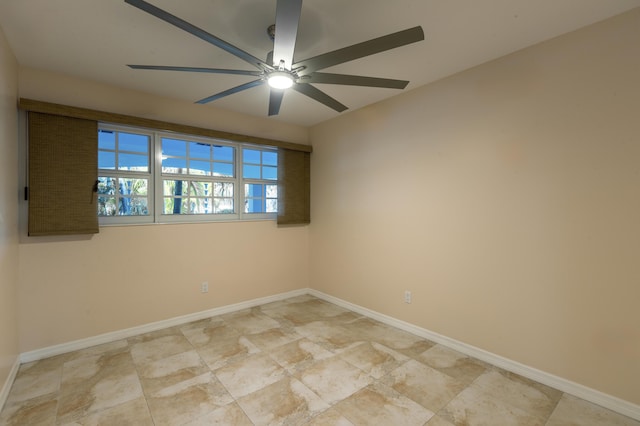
(297, 361)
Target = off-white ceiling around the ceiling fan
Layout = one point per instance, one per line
(95, 39)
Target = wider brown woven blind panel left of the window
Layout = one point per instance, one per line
(63, 169)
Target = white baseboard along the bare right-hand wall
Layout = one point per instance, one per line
(588, 394)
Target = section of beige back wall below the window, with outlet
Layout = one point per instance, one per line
(129, 276)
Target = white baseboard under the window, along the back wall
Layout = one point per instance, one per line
(146, 328)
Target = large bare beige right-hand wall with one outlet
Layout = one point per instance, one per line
(506, 198)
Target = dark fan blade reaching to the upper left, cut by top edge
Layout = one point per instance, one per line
(200, 33)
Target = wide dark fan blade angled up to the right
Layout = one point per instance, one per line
(360, 50)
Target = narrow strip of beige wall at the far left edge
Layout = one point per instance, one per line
(8, 210)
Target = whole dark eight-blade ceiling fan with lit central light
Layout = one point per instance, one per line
(280, 71)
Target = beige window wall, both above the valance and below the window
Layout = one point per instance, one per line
(128, 276)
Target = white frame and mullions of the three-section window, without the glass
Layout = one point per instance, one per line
(155, 188)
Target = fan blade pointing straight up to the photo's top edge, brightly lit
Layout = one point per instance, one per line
(287, 19)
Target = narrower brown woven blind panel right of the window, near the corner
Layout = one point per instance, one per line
(294, 199)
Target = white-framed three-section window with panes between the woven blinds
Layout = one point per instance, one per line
(147, 177)
